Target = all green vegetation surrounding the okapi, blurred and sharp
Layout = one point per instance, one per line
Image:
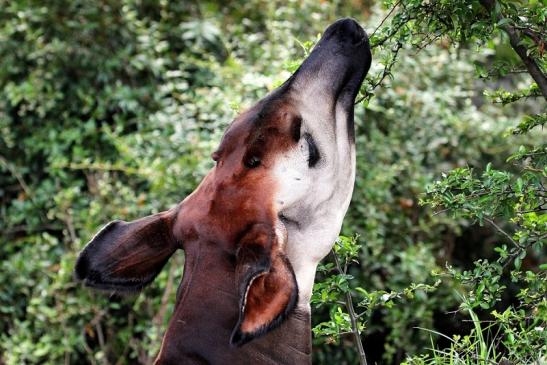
(110, 110)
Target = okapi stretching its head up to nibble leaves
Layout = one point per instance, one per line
(258, 224)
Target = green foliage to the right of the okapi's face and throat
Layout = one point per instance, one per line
(421, 125)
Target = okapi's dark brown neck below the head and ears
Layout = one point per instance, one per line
(207, 311)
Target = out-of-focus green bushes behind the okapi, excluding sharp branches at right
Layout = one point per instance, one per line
(110, 110)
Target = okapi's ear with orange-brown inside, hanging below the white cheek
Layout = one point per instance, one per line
(266, 284)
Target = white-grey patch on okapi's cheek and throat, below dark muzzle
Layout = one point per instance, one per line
(314, 200)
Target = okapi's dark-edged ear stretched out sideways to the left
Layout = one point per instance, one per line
(128, 255)
